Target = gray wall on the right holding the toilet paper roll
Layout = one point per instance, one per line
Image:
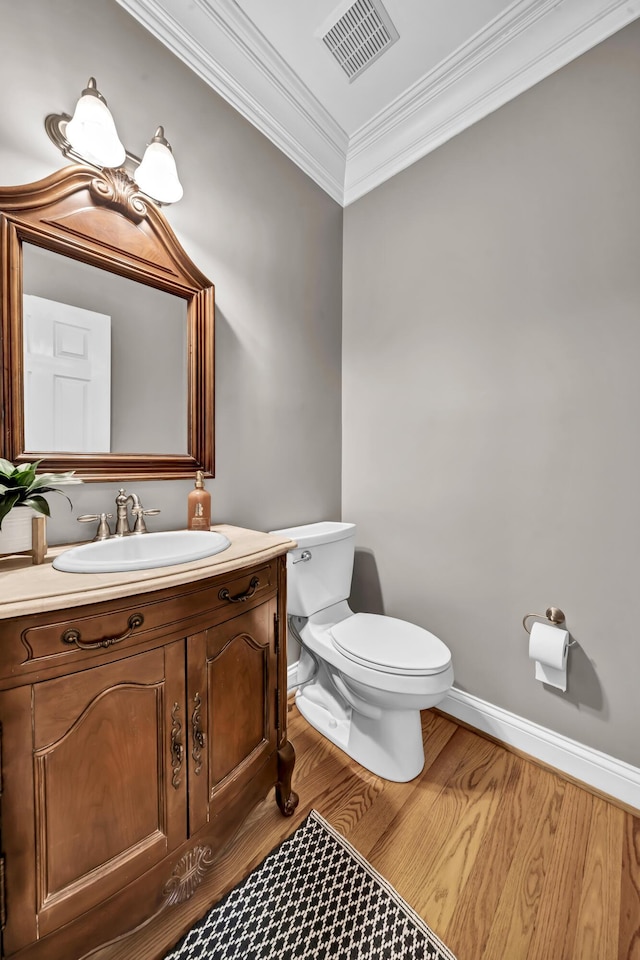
(491, 396)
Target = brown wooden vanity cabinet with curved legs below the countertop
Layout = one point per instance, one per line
(127, 766)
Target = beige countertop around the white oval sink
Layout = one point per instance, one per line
(28, 588)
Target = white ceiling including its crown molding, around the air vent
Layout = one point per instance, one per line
(454, 62)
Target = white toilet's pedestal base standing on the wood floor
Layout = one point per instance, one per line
(390, 745)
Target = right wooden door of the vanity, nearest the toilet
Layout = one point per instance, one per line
(232, 699)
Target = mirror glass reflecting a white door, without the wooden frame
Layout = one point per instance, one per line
(105, 360)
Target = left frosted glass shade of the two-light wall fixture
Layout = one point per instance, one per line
(92, 132)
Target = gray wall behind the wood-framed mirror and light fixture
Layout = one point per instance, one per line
(259, 228)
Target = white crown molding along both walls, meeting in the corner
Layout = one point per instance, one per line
(528, 42)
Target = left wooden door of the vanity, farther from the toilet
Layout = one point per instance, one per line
(94, 786)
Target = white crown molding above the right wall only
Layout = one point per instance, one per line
(532, 40)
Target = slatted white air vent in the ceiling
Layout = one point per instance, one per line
(360, 36)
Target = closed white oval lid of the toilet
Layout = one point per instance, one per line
(391, 645)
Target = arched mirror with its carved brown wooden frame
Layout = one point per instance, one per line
(107, 333)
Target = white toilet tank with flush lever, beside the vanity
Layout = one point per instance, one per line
(323, 578)
